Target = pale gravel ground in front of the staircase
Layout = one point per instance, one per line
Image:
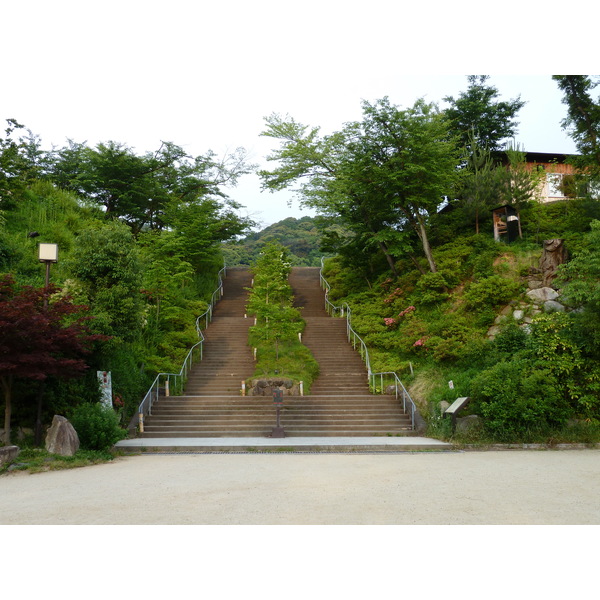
(426, 488)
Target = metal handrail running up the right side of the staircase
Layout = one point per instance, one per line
(353, 338)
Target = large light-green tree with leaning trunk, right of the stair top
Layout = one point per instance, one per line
(383, 176)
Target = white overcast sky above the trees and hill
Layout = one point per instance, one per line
(204, 75)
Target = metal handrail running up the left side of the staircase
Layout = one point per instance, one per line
(174, 382)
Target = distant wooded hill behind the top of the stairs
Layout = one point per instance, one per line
(301, 236)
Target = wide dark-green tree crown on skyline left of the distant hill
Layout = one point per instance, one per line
(138, 188)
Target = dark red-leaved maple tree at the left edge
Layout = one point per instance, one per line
(40, 336)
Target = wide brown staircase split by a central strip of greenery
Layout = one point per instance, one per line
(339, 403)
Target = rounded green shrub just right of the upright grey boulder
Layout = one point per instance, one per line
(97, 426)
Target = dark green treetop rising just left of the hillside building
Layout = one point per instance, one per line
(478, 109)
